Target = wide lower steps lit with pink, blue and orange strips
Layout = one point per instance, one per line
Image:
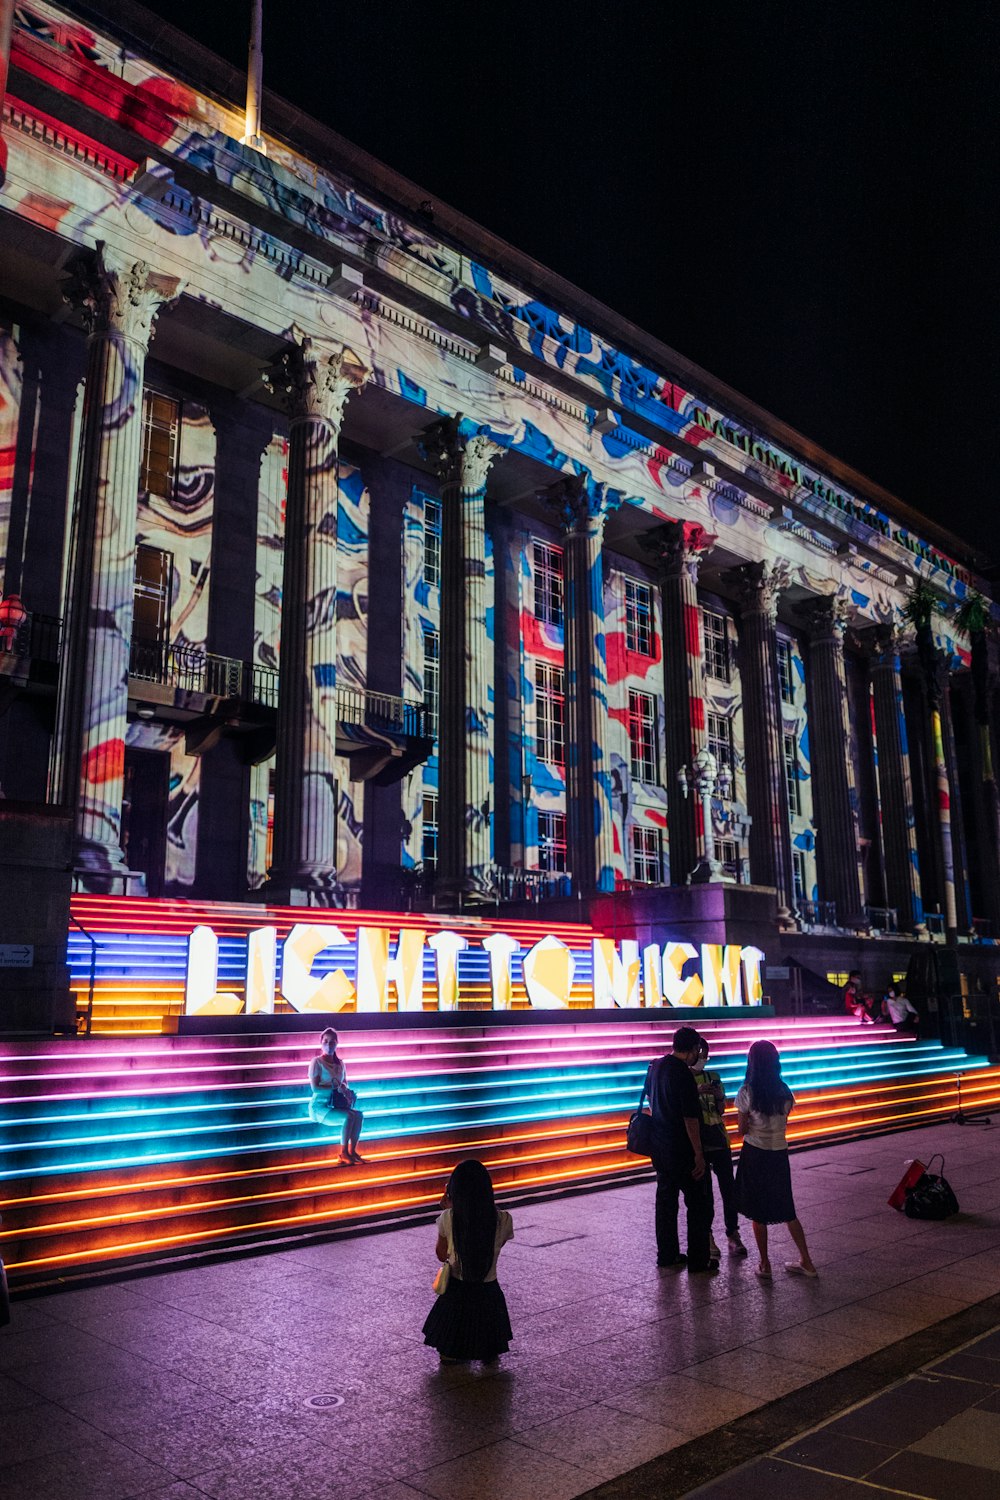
(131, 1148)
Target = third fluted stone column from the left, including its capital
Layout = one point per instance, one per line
(466, 763)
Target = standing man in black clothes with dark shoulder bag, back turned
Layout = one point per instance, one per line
(677, 1156)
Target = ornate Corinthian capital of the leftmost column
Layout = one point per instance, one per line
(118, 295)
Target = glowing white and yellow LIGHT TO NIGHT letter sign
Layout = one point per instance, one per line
(422, 971)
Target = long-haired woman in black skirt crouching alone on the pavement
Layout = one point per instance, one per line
(470, 1318)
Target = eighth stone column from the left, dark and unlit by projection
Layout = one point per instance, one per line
(896, 784)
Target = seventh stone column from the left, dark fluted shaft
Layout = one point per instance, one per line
(834, 782)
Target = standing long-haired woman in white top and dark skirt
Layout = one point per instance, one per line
(764, 1180)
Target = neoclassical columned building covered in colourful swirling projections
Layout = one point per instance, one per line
(352, 559)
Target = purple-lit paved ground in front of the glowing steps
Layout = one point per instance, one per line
(196, 1382)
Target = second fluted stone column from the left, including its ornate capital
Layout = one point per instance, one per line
(314, 382)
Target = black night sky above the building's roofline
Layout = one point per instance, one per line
(803, 199)
